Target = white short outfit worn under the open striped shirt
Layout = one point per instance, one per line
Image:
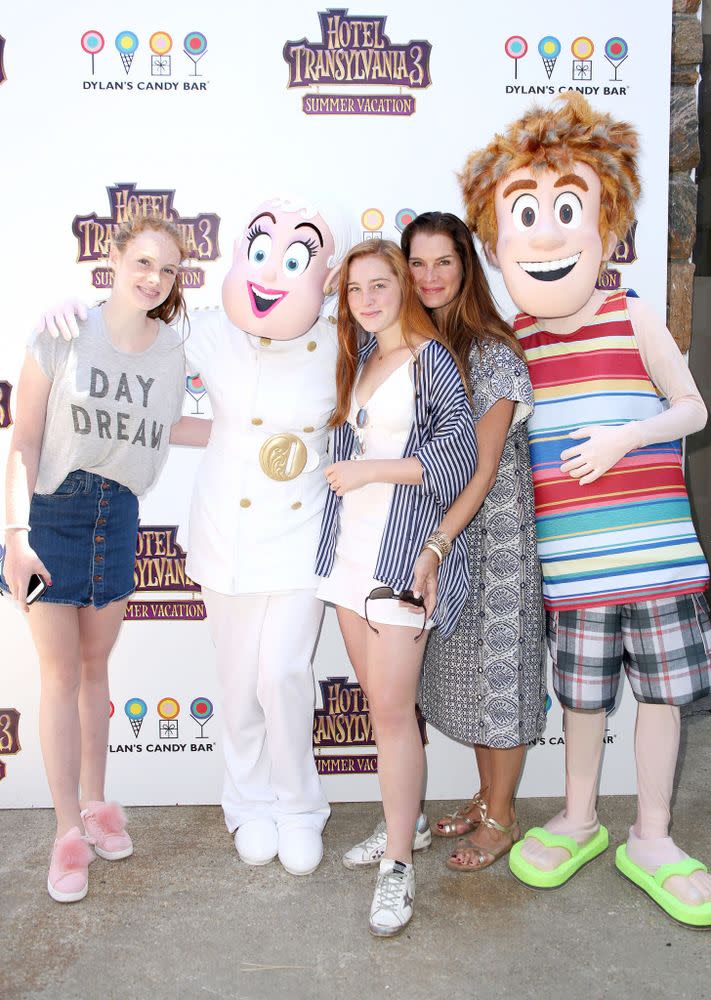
(364, 511)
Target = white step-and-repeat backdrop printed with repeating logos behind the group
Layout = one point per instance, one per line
(201, 111)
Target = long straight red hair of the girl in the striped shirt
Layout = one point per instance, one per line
(414, 319)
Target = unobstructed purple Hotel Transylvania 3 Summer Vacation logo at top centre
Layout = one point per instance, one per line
(354, 51)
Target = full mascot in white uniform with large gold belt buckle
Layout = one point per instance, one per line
(269, 369)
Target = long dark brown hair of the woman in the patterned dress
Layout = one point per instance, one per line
(472, 316)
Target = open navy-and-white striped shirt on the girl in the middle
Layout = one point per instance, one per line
(443, 439)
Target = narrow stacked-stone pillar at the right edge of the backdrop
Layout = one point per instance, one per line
(684, 154)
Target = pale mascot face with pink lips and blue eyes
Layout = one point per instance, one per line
(275, 287)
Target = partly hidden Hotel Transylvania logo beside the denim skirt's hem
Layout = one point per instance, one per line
(160, 573)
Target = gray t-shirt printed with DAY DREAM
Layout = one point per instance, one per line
(108, 412)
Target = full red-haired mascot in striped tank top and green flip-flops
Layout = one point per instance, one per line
(622, 567)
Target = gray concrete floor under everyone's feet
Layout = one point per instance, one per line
(184, 918)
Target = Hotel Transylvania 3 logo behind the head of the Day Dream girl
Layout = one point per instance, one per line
(200, 233)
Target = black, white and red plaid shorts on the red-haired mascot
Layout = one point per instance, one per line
(664, 646)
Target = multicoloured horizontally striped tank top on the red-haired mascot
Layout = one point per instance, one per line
(627, 537)
